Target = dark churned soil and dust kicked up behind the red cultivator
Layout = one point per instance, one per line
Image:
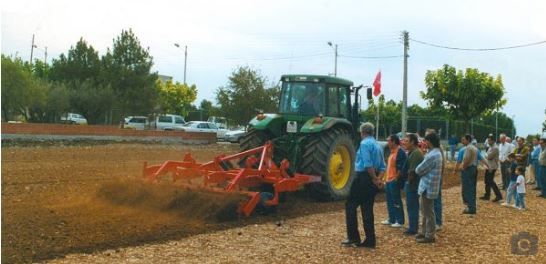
(194, 204)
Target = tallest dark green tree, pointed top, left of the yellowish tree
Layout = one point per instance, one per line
(127, 69)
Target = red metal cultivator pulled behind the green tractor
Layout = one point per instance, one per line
(219, 176)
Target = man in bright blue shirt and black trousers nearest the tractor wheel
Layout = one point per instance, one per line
(369, 167)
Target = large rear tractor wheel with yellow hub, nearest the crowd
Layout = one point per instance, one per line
(331, 154)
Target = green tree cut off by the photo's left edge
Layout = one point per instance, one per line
(16, 87)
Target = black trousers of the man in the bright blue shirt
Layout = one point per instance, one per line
(362, 194)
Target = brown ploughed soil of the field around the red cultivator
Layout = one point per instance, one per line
(68, 199)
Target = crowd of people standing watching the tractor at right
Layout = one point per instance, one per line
(419, 173)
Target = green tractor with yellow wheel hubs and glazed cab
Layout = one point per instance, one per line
(316, 129)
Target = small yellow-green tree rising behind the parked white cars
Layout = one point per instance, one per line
(176, 97)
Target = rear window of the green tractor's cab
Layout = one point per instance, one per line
(302, 98)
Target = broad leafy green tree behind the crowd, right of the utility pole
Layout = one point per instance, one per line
(465, 95)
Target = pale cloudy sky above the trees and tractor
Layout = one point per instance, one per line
(280, 37)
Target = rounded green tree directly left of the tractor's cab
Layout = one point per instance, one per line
(244, 94)
